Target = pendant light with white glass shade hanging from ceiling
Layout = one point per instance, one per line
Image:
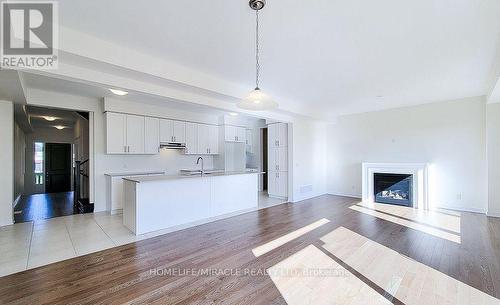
(257, 100)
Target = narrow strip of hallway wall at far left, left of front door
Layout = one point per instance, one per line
(19, 161)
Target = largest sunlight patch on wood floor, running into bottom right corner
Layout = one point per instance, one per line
(407, 280)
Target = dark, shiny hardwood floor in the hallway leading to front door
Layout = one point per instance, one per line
(44, 206)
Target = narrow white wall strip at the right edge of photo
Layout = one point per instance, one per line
(493, 144)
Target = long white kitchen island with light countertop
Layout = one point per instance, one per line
(159, 202)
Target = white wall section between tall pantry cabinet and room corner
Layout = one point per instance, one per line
(308, 159)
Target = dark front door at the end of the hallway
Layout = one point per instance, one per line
(57, 167)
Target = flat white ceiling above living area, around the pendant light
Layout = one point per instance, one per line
(337, 57)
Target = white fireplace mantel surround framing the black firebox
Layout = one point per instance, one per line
(420, 180)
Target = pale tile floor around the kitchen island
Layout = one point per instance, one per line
(41, 242)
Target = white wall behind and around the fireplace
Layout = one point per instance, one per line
(449, 135)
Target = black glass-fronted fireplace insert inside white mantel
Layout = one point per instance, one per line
(393, 188)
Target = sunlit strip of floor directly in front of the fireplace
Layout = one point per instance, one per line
(431, 222)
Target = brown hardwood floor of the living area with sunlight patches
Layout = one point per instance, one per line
(137, 273)
